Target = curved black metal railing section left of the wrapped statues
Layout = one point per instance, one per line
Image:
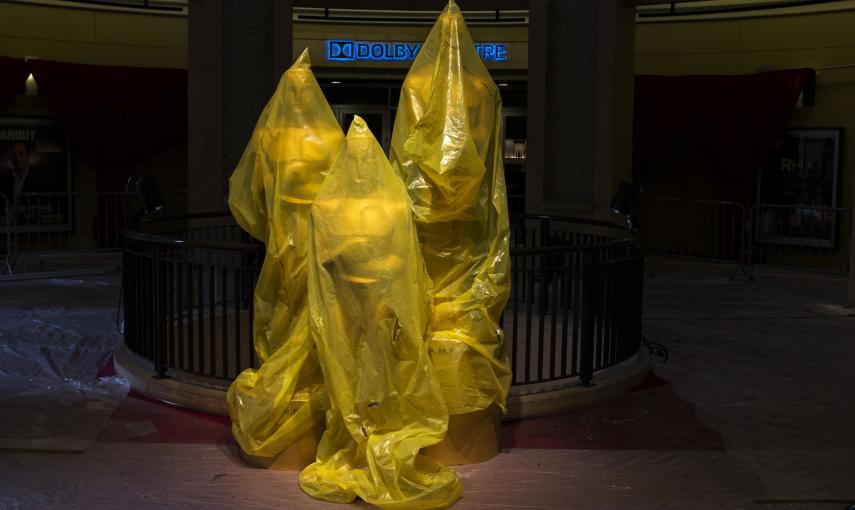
(188, 292)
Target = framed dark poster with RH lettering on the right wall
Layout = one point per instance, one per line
(798, 188)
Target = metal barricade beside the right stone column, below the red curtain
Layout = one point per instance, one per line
(706, 229)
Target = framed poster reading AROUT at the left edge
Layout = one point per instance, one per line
(35, 175)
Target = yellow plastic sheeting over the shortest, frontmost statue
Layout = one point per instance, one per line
(369, 311)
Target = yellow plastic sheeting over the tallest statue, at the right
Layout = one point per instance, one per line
(447, 149)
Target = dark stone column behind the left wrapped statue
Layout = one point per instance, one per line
(238, 49)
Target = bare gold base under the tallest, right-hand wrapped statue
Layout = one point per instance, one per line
(471, 438)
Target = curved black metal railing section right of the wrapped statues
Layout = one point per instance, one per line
(576, 296)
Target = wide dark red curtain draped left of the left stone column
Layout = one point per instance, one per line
(115, 116)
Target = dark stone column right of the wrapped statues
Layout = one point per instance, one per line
(580, 79)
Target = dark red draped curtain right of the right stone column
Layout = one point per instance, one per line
(729, 121)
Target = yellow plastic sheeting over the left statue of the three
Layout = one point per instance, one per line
(270, 194)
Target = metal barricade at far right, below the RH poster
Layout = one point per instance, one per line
(802, 237)
